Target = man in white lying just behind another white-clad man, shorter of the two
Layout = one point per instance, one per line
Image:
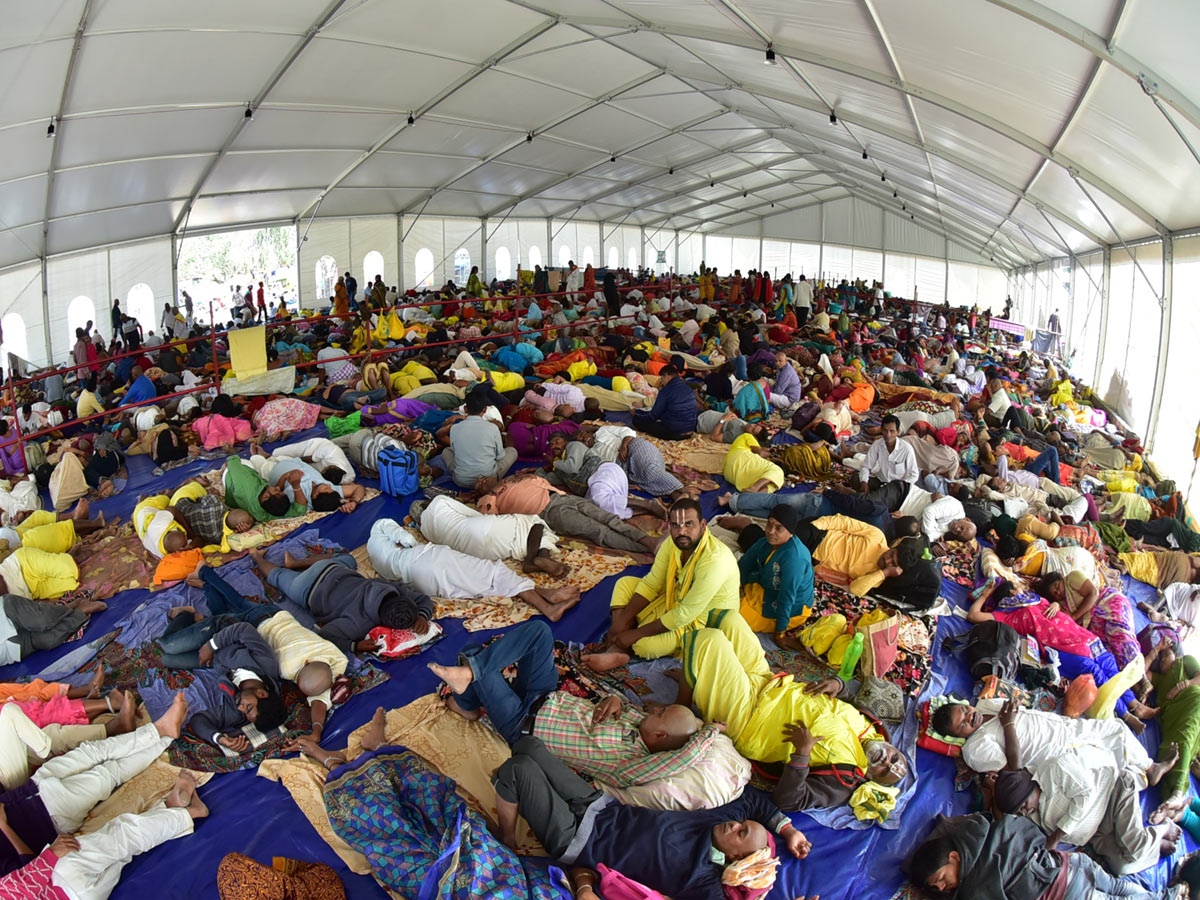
(508, 537)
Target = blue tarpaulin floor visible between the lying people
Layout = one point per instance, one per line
(257, 818)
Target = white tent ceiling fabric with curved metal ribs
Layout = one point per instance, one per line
(1017, 129)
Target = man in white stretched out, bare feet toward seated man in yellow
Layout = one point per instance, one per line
(439, 571)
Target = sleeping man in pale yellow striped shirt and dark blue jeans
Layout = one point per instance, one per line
(303, 657)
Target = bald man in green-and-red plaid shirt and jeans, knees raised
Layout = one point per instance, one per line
(605, 741)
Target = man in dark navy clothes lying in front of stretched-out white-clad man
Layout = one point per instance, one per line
(345, 603)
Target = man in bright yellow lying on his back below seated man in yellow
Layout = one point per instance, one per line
(835, 748)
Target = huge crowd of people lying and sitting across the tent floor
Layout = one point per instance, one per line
(866, 442)
